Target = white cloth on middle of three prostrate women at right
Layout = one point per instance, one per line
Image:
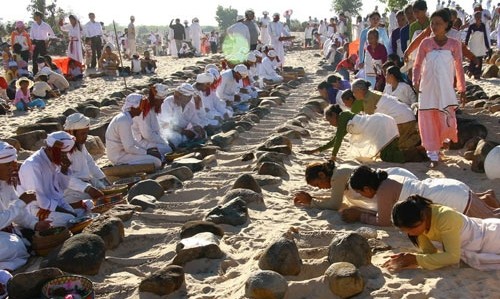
(443, 191)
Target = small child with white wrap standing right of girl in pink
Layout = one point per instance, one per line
(478, 43)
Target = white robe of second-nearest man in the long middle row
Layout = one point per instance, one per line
(146, 131)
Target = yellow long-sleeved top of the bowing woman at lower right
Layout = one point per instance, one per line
(446, 227)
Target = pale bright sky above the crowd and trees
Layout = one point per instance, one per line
(150, 12)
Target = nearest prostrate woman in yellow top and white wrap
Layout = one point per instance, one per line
(472, 240)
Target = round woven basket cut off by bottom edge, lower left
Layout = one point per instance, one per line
(62, 286)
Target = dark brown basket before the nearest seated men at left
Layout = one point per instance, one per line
(47, 240)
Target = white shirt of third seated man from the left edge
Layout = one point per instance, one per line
(83, 169)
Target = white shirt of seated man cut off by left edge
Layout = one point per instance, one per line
(13, 210)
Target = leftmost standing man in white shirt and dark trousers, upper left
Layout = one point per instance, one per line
(40, 34)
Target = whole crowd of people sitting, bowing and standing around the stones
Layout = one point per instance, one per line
(398, 114)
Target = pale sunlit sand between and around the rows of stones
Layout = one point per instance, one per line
(151, 236)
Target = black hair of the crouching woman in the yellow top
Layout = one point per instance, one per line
(410, 212)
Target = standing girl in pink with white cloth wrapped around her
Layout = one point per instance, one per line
(438, 62)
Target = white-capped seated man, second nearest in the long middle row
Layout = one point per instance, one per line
(146, 129)
